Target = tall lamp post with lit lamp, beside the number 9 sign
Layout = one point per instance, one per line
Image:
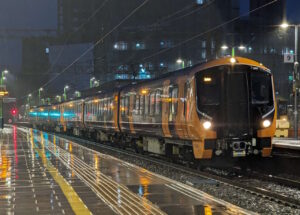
(295, 75)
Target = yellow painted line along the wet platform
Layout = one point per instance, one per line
(74, 200)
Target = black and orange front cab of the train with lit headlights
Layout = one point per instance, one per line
(233, 111)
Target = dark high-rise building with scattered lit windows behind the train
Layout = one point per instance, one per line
(166, 35)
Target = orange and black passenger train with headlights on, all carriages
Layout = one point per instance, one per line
(224, 107)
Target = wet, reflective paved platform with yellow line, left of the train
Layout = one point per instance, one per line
(45, 174)
